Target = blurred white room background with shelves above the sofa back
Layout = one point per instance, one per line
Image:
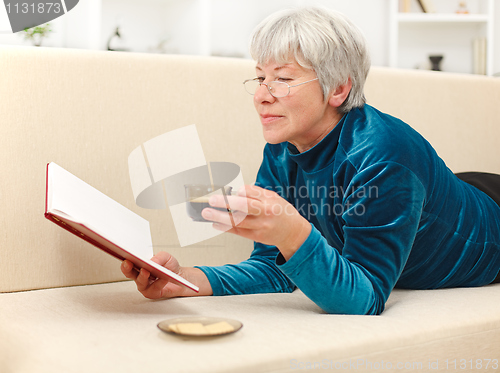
(399, 32)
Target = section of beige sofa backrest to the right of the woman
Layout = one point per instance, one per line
(459, 114)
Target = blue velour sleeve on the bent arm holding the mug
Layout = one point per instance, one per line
(381, 216)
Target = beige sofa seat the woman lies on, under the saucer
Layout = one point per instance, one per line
(112, 328)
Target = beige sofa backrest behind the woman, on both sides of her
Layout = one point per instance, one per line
(87, 110)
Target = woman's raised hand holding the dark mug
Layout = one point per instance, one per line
(262, 216)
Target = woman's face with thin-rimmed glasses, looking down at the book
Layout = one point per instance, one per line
(303, 117)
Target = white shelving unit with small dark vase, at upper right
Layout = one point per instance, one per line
(414, 36)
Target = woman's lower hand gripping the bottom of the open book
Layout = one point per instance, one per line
(161, 288)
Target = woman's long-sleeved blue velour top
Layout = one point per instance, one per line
(385, 212)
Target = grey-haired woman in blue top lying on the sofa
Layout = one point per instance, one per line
(349, 202)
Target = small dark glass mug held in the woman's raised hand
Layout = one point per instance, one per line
(197, 196)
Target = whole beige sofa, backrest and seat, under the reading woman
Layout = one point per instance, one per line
(64, 306)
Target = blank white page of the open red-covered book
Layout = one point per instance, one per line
(82, 203)
